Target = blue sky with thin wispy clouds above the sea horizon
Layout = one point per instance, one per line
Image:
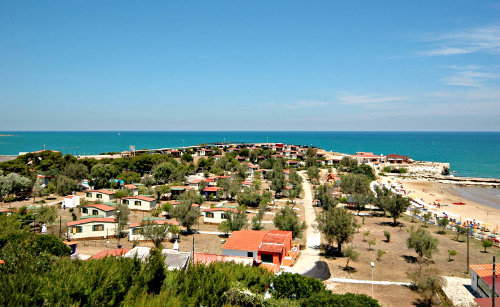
(250, 65)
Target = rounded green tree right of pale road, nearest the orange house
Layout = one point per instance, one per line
(337, 224)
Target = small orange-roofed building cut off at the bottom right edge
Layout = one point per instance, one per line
(482, 279)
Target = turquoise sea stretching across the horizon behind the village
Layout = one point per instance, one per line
(474, 154)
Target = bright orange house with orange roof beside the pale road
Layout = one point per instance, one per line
(267, 246)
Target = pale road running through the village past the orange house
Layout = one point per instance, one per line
(310, 255)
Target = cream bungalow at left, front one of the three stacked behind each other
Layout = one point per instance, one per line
(92, 228)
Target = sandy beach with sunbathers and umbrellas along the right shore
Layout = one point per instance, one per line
(430, 192)
